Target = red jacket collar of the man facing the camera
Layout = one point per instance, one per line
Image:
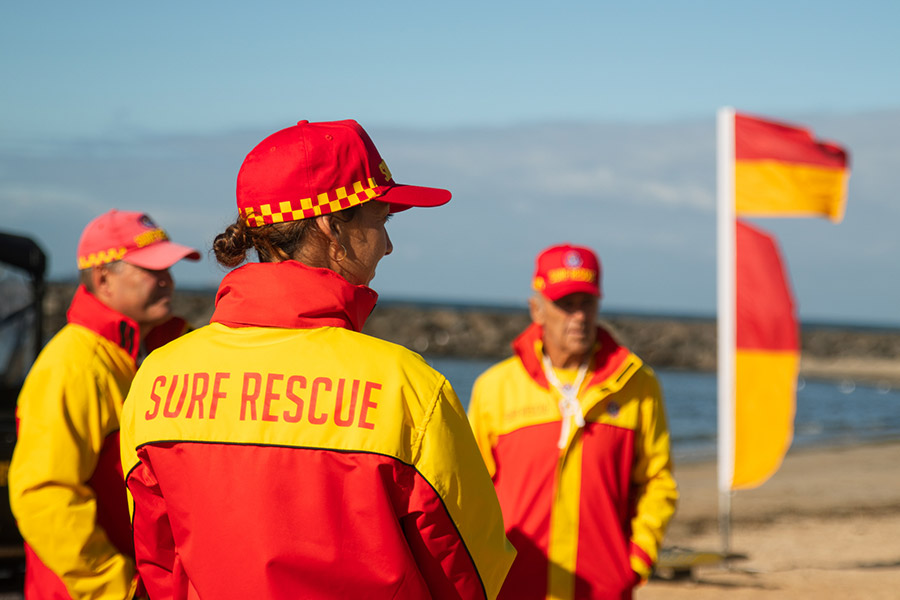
(609, 358)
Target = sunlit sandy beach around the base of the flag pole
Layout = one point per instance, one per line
(826, 525)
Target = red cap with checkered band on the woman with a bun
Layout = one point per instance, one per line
(313, 169)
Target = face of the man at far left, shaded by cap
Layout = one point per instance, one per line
(138, 293)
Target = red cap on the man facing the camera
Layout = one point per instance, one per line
(566, 269)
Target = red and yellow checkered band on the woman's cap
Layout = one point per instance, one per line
(305, 208)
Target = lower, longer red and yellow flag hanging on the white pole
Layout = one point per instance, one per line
(766, 358)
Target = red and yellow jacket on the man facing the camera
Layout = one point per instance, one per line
(587, 520)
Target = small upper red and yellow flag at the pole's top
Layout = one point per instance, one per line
(782, 171)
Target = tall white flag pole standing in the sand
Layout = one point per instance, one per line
(726, 316)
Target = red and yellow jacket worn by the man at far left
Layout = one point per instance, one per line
(65, 480)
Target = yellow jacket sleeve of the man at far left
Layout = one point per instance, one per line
(63, 424)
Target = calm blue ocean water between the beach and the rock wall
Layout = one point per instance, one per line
(827, 413)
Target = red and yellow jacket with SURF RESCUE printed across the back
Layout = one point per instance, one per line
(279, 453)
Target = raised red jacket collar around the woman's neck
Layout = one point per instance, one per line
(292, 295)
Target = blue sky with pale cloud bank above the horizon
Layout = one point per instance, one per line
(588, 122)
